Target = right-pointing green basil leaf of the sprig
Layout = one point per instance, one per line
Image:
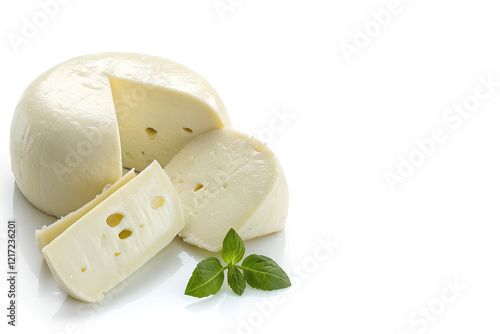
(263, 273)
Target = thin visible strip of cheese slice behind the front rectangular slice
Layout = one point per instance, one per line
(46, 235)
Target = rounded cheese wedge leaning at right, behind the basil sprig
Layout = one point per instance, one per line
(227, 179)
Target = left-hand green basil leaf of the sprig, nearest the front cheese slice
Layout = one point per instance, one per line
(207, 278)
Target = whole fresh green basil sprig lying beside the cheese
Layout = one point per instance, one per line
(259, 271)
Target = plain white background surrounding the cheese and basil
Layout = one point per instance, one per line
(350, 121)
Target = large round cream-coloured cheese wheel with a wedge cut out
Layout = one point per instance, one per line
(77, 122)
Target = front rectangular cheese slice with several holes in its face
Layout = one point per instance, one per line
(117, 237)
